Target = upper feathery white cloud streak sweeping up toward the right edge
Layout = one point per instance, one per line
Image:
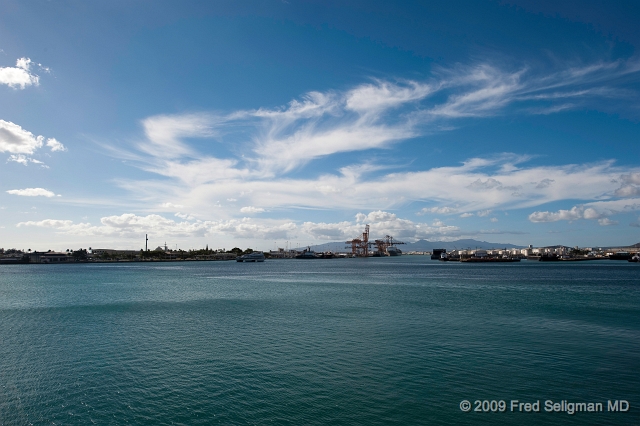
(275, 141)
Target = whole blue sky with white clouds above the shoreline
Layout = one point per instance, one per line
(278, 123)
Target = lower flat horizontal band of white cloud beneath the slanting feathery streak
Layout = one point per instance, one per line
(352, 188)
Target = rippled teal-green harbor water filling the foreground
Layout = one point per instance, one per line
(292, 342)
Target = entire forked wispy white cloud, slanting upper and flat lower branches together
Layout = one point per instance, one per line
(252, 153)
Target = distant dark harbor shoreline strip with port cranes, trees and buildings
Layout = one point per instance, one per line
(361, 246)
